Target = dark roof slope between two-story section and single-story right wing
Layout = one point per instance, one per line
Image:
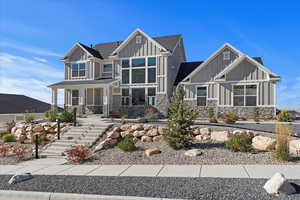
(185, 69)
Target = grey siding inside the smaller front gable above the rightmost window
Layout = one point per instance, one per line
(246, 71)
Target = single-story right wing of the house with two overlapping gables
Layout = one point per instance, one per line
(231, 81)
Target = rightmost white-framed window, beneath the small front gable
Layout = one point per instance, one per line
(244, 95)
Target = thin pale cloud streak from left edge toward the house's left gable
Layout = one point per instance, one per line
(33, 50)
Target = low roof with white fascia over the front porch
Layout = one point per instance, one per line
(82, 83)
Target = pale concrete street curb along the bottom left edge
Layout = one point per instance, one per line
(30, 195)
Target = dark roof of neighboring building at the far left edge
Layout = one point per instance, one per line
(14, 103)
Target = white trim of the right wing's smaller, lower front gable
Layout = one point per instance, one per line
(241, 59)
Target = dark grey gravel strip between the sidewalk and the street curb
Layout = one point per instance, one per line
(180, 188)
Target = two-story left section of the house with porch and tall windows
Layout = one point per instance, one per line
(121, 76)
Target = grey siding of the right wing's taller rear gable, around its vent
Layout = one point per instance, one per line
(214, 67)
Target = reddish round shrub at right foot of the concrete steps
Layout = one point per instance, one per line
(78, 153)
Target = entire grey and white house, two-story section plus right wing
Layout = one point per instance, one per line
(127, 76)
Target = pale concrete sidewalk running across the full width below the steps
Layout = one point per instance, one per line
(217, 171)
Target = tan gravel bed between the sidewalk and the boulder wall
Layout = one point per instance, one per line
(213, 154)
